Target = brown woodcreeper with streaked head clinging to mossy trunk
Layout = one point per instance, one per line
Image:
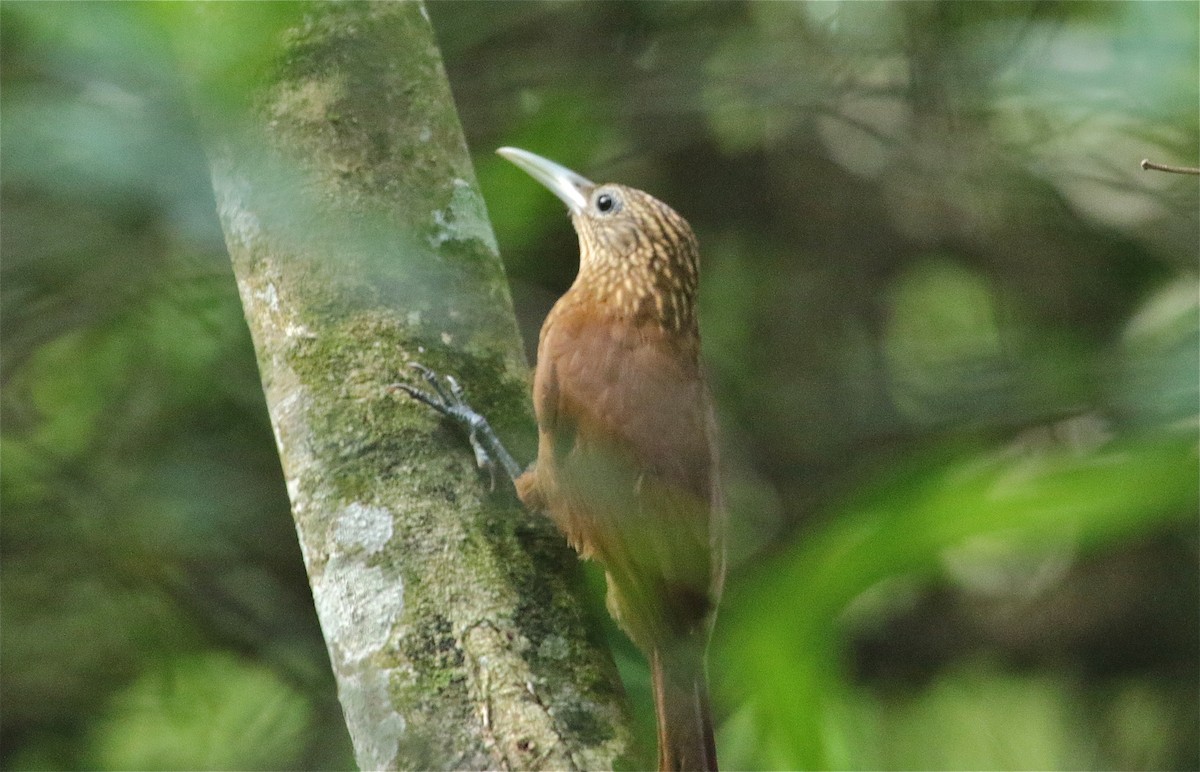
(627, 463)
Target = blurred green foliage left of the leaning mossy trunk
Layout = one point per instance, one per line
(155, 612)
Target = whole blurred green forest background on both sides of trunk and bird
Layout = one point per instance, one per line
(952, 330)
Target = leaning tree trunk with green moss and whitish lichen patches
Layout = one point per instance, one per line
(361, 243)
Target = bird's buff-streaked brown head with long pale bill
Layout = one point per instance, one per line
(638, 256)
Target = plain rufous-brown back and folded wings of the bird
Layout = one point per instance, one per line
(627, 460)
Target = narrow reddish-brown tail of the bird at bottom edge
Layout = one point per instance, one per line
(681, 702)
